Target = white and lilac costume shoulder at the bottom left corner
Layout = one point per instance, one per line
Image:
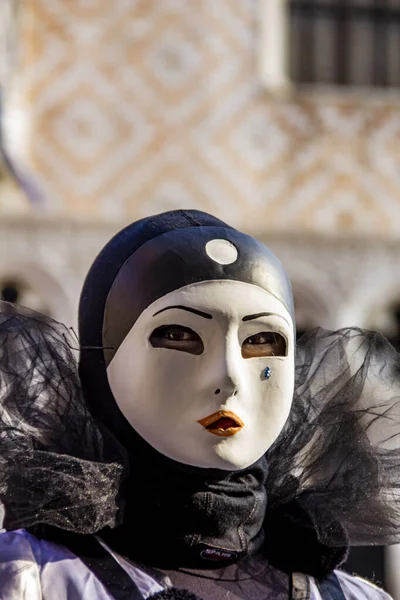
(33, 569)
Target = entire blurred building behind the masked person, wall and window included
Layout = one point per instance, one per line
(281, 117)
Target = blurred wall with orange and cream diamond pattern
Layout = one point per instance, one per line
(139, 106)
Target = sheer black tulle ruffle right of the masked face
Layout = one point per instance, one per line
(338, 458)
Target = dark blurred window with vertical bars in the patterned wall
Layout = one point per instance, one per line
(345, 42)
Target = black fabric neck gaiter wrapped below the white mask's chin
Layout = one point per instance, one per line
(186, 516)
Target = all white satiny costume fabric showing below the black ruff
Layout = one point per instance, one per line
(32, 569)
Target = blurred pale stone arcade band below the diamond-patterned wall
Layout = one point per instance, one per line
(335, 285)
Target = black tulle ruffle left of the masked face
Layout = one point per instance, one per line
(56, 467)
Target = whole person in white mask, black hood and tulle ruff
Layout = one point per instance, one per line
(197, 453)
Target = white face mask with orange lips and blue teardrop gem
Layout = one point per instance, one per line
(206, 373)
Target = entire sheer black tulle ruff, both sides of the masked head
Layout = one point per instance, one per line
(337, 460)
